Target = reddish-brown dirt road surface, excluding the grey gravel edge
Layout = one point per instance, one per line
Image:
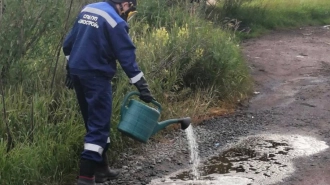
(292, 72)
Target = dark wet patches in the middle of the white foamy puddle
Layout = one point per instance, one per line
(232, 160)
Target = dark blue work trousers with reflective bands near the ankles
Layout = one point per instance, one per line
(94, 95)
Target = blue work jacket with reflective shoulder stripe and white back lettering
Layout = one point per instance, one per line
(98, 38)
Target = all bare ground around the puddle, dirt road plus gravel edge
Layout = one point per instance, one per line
(291, 69)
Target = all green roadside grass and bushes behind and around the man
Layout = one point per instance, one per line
(190, 55)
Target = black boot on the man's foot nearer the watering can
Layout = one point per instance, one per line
(103, 172)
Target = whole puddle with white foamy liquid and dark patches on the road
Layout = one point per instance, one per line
(262, 159)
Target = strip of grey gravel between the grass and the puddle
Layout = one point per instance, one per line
(159, 159)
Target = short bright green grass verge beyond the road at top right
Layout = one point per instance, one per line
(264, 15)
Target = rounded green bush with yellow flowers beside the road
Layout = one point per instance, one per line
(194, 57)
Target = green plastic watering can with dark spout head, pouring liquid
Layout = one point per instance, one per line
(139, 121)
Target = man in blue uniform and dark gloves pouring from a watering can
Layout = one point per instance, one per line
(98, 38)
